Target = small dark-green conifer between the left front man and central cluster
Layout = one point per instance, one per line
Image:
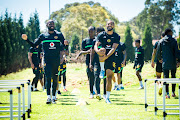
(75, 44)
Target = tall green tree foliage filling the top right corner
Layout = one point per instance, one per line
(160, 14)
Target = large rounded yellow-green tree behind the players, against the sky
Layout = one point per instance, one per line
(77, 17)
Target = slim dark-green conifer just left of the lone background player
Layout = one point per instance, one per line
(128, 43)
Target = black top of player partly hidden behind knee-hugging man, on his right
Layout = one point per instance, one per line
(119, 56)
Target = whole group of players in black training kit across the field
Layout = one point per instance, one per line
(105, 55)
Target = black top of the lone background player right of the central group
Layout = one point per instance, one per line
(139, 55)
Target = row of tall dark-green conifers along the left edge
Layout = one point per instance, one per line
(13, 50)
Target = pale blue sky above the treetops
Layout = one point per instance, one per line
(124, 10)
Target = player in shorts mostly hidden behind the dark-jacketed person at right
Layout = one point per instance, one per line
(158, 64)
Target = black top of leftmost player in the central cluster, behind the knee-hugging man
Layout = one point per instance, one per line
(86, 45)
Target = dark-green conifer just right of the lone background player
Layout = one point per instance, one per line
(147, 43)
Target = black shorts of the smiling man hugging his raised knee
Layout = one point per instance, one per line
(109, 64)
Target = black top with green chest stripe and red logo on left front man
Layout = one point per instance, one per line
(51, 44)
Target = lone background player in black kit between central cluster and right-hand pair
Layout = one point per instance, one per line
(139, 62)
